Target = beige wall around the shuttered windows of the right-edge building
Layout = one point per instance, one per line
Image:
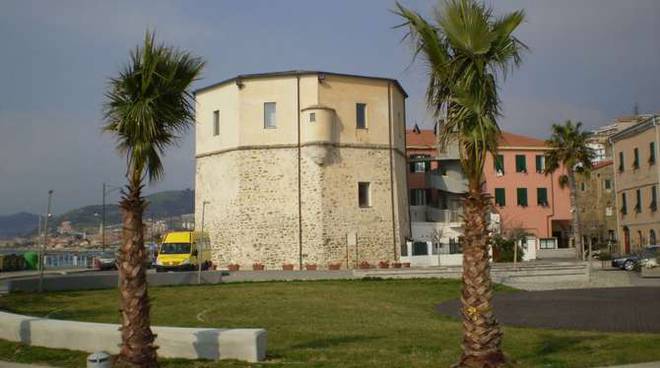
(629, 180)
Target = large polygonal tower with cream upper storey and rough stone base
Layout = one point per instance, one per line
(302, 167)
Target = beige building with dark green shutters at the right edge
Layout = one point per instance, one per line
(636, 180)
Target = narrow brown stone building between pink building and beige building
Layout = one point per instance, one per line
(596, 203)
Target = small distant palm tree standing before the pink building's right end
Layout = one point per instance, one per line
(569, 149)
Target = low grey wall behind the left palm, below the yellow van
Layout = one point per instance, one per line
(93, 280)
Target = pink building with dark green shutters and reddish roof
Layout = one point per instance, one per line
(526, 198)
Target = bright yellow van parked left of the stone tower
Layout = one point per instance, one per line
(183, 251)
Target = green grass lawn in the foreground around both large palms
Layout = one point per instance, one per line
(365, 323)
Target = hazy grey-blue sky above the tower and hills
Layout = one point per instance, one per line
(588, 60)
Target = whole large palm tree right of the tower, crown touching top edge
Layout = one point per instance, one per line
(467, 51)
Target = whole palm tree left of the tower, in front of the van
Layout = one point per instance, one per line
(148, 107)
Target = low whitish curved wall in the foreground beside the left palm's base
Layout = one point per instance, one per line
(173, 342)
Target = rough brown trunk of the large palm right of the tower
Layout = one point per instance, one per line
(482, 337)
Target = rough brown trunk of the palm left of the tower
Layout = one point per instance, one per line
(137, 349)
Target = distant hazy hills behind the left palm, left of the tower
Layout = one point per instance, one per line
(161, 205)
